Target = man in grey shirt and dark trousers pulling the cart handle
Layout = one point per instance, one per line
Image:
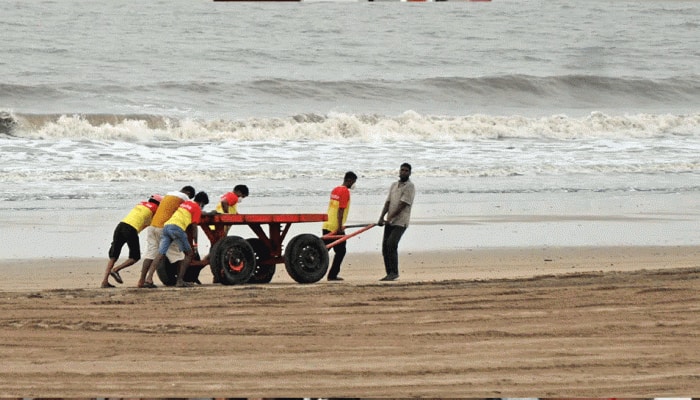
(397, 210)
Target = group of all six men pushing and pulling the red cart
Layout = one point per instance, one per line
(171, 218)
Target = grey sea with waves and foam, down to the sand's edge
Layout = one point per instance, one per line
(527, 123)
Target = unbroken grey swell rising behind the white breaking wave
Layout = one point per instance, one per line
(440, 95)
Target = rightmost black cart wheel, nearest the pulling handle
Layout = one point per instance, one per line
(306, 258)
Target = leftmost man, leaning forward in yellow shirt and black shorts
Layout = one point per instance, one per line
(127, 232)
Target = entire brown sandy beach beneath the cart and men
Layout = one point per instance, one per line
(523, 322)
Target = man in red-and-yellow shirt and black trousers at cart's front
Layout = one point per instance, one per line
(338, 209)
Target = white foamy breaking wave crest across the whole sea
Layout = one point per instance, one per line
(408, 126)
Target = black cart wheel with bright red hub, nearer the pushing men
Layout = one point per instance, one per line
(233, 262)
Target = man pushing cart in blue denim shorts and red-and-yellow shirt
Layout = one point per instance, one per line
(174, 231)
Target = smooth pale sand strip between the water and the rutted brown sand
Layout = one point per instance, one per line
(481, 264)
